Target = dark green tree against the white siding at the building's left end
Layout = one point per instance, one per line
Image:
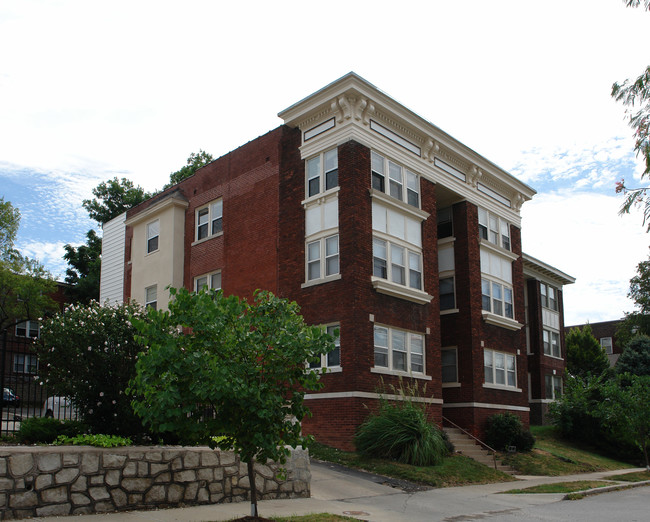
(84, 269)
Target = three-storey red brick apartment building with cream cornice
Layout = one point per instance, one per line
(377, 223)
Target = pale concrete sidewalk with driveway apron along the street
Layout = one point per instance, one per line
(359, 495)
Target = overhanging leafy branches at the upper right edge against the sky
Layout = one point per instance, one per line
(636, 96)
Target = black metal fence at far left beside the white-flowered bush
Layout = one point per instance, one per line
(23, 394)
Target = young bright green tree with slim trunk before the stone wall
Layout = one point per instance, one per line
(237, 375)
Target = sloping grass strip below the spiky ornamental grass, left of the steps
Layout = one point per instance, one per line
(456, 470)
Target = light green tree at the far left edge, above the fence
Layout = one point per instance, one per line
(25, 286)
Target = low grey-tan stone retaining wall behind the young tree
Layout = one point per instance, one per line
(69, 480)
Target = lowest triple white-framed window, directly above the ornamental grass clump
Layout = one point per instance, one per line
(398, 350)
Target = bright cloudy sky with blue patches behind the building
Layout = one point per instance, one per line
(90, 91)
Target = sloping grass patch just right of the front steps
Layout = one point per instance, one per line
(554, 456)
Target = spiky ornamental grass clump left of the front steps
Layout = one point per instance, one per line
(400, 430)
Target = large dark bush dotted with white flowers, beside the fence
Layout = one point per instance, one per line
(88, 353)
